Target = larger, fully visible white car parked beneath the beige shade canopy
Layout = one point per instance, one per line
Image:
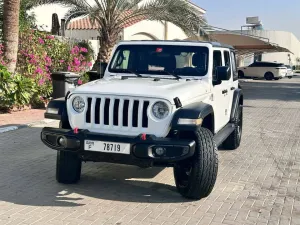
(267, 70)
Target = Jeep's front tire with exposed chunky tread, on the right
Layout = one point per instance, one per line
(196, 176)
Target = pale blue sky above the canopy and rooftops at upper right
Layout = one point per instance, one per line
(275, 14)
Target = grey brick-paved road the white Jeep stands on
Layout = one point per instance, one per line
(257, 184)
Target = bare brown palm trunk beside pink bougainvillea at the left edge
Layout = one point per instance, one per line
(11, 32)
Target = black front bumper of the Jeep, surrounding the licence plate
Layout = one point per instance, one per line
(141, 151)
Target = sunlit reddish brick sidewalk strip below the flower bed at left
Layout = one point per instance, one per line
(21, 117)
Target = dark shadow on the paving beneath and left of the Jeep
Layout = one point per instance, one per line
(28, 178)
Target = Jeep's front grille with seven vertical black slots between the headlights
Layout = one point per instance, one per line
(117, 112)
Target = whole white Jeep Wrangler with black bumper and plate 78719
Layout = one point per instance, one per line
(160, 103)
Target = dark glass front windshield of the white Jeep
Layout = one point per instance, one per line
(167, 60)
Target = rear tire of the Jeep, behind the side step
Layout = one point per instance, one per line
(233, 141)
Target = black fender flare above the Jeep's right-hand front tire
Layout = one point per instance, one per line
(191, 111)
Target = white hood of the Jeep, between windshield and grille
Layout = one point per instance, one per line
(146, 87)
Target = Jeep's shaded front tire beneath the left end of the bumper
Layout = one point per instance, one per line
(68, 164)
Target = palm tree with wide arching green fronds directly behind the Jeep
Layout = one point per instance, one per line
(112, 15)
